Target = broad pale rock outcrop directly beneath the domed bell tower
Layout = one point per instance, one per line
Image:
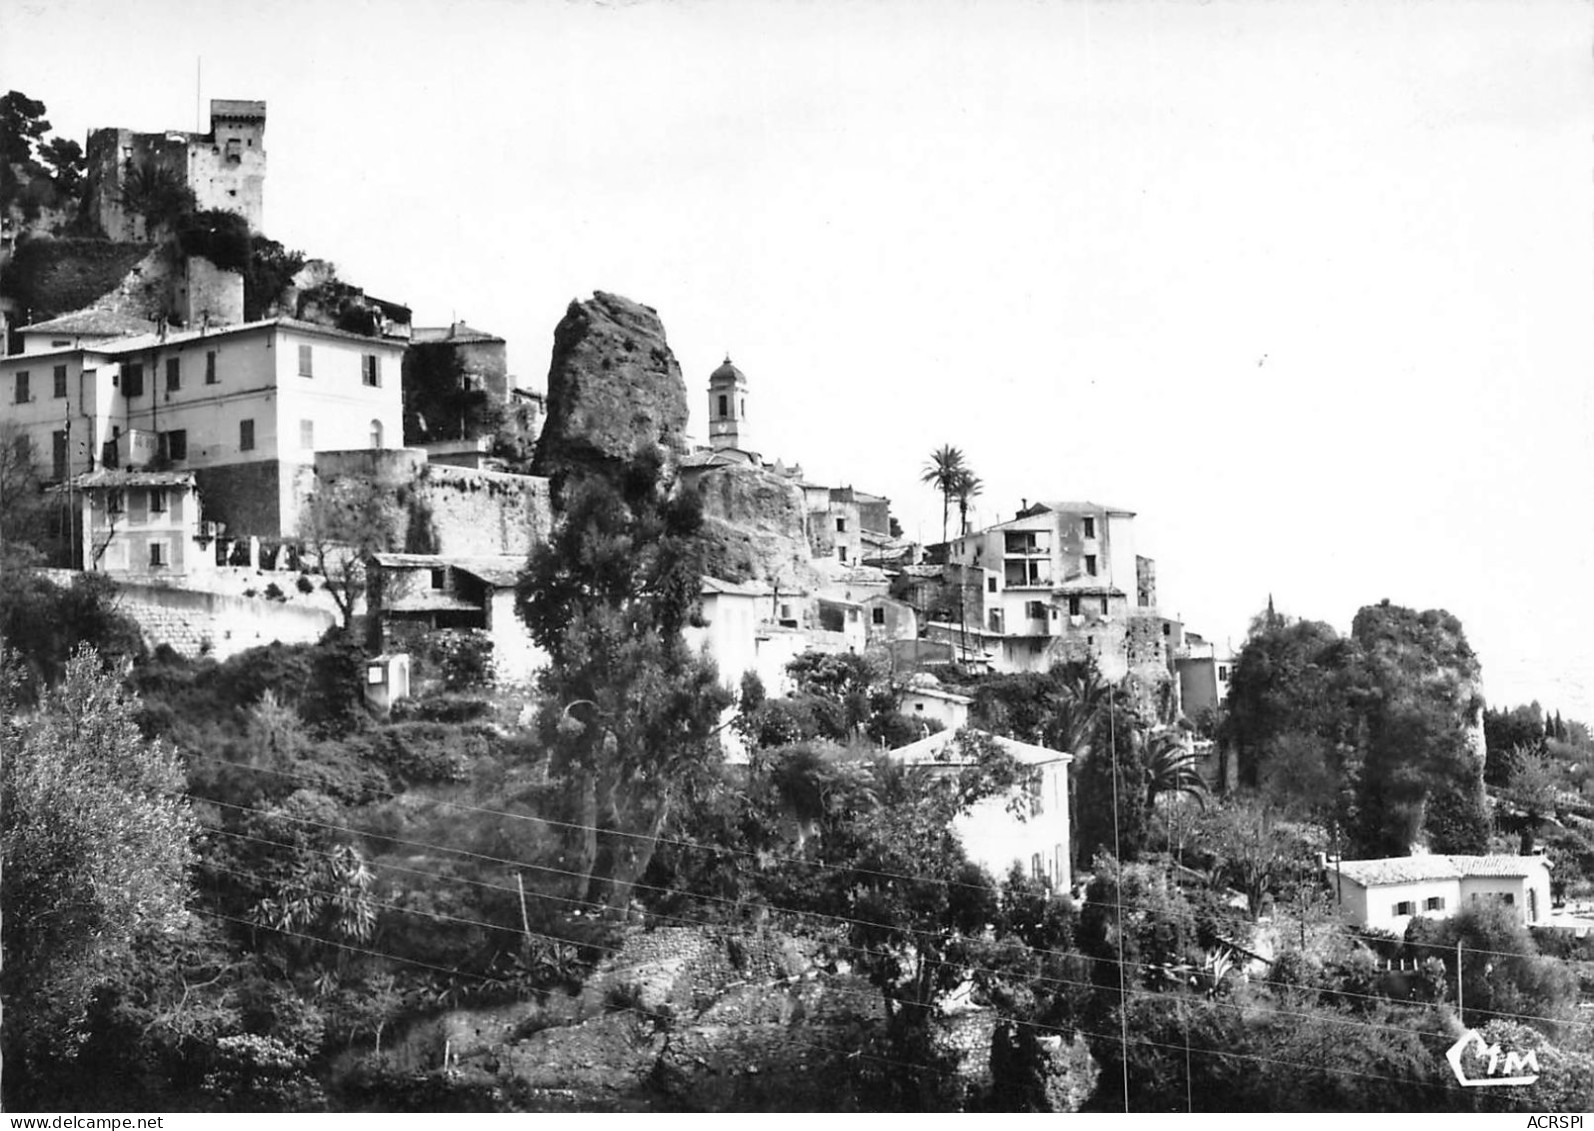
(753, 526)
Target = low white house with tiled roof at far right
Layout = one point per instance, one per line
(1388, 894)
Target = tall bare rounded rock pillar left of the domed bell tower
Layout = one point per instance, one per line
(613, 388)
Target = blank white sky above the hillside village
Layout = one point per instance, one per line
(1308, 286)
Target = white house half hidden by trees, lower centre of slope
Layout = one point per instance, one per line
(997, 834)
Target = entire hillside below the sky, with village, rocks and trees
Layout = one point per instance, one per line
(466, 743)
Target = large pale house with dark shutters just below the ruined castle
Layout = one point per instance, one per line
(243, 409)
